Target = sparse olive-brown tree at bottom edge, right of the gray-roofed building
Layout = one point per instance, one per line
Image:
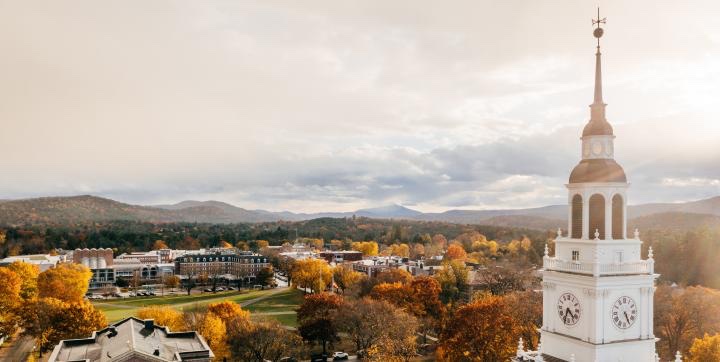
(262, 341)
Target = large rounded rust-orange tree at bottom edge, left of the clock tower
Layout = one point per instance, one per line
(483, 330)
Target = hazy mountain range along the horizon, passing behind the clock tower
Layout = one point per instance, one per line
(86, 208)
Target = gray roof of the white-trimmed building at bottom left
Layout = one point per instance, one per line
(134, 338)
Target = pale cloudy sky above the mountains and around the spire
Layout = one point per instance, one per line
(339, 105)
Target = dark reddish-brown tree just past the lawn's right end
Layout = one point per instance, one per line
(316, 318)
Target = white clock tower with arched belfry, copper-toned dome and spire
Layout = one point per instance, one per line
(597, 289)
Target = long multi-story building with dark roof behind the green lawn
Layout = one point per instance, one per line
(228, 264)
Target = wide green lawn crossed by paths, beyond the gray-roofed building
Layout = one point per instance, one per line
(283, 302)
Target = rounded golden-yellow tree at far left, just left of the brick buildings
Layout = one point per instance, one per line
(67, 282)
